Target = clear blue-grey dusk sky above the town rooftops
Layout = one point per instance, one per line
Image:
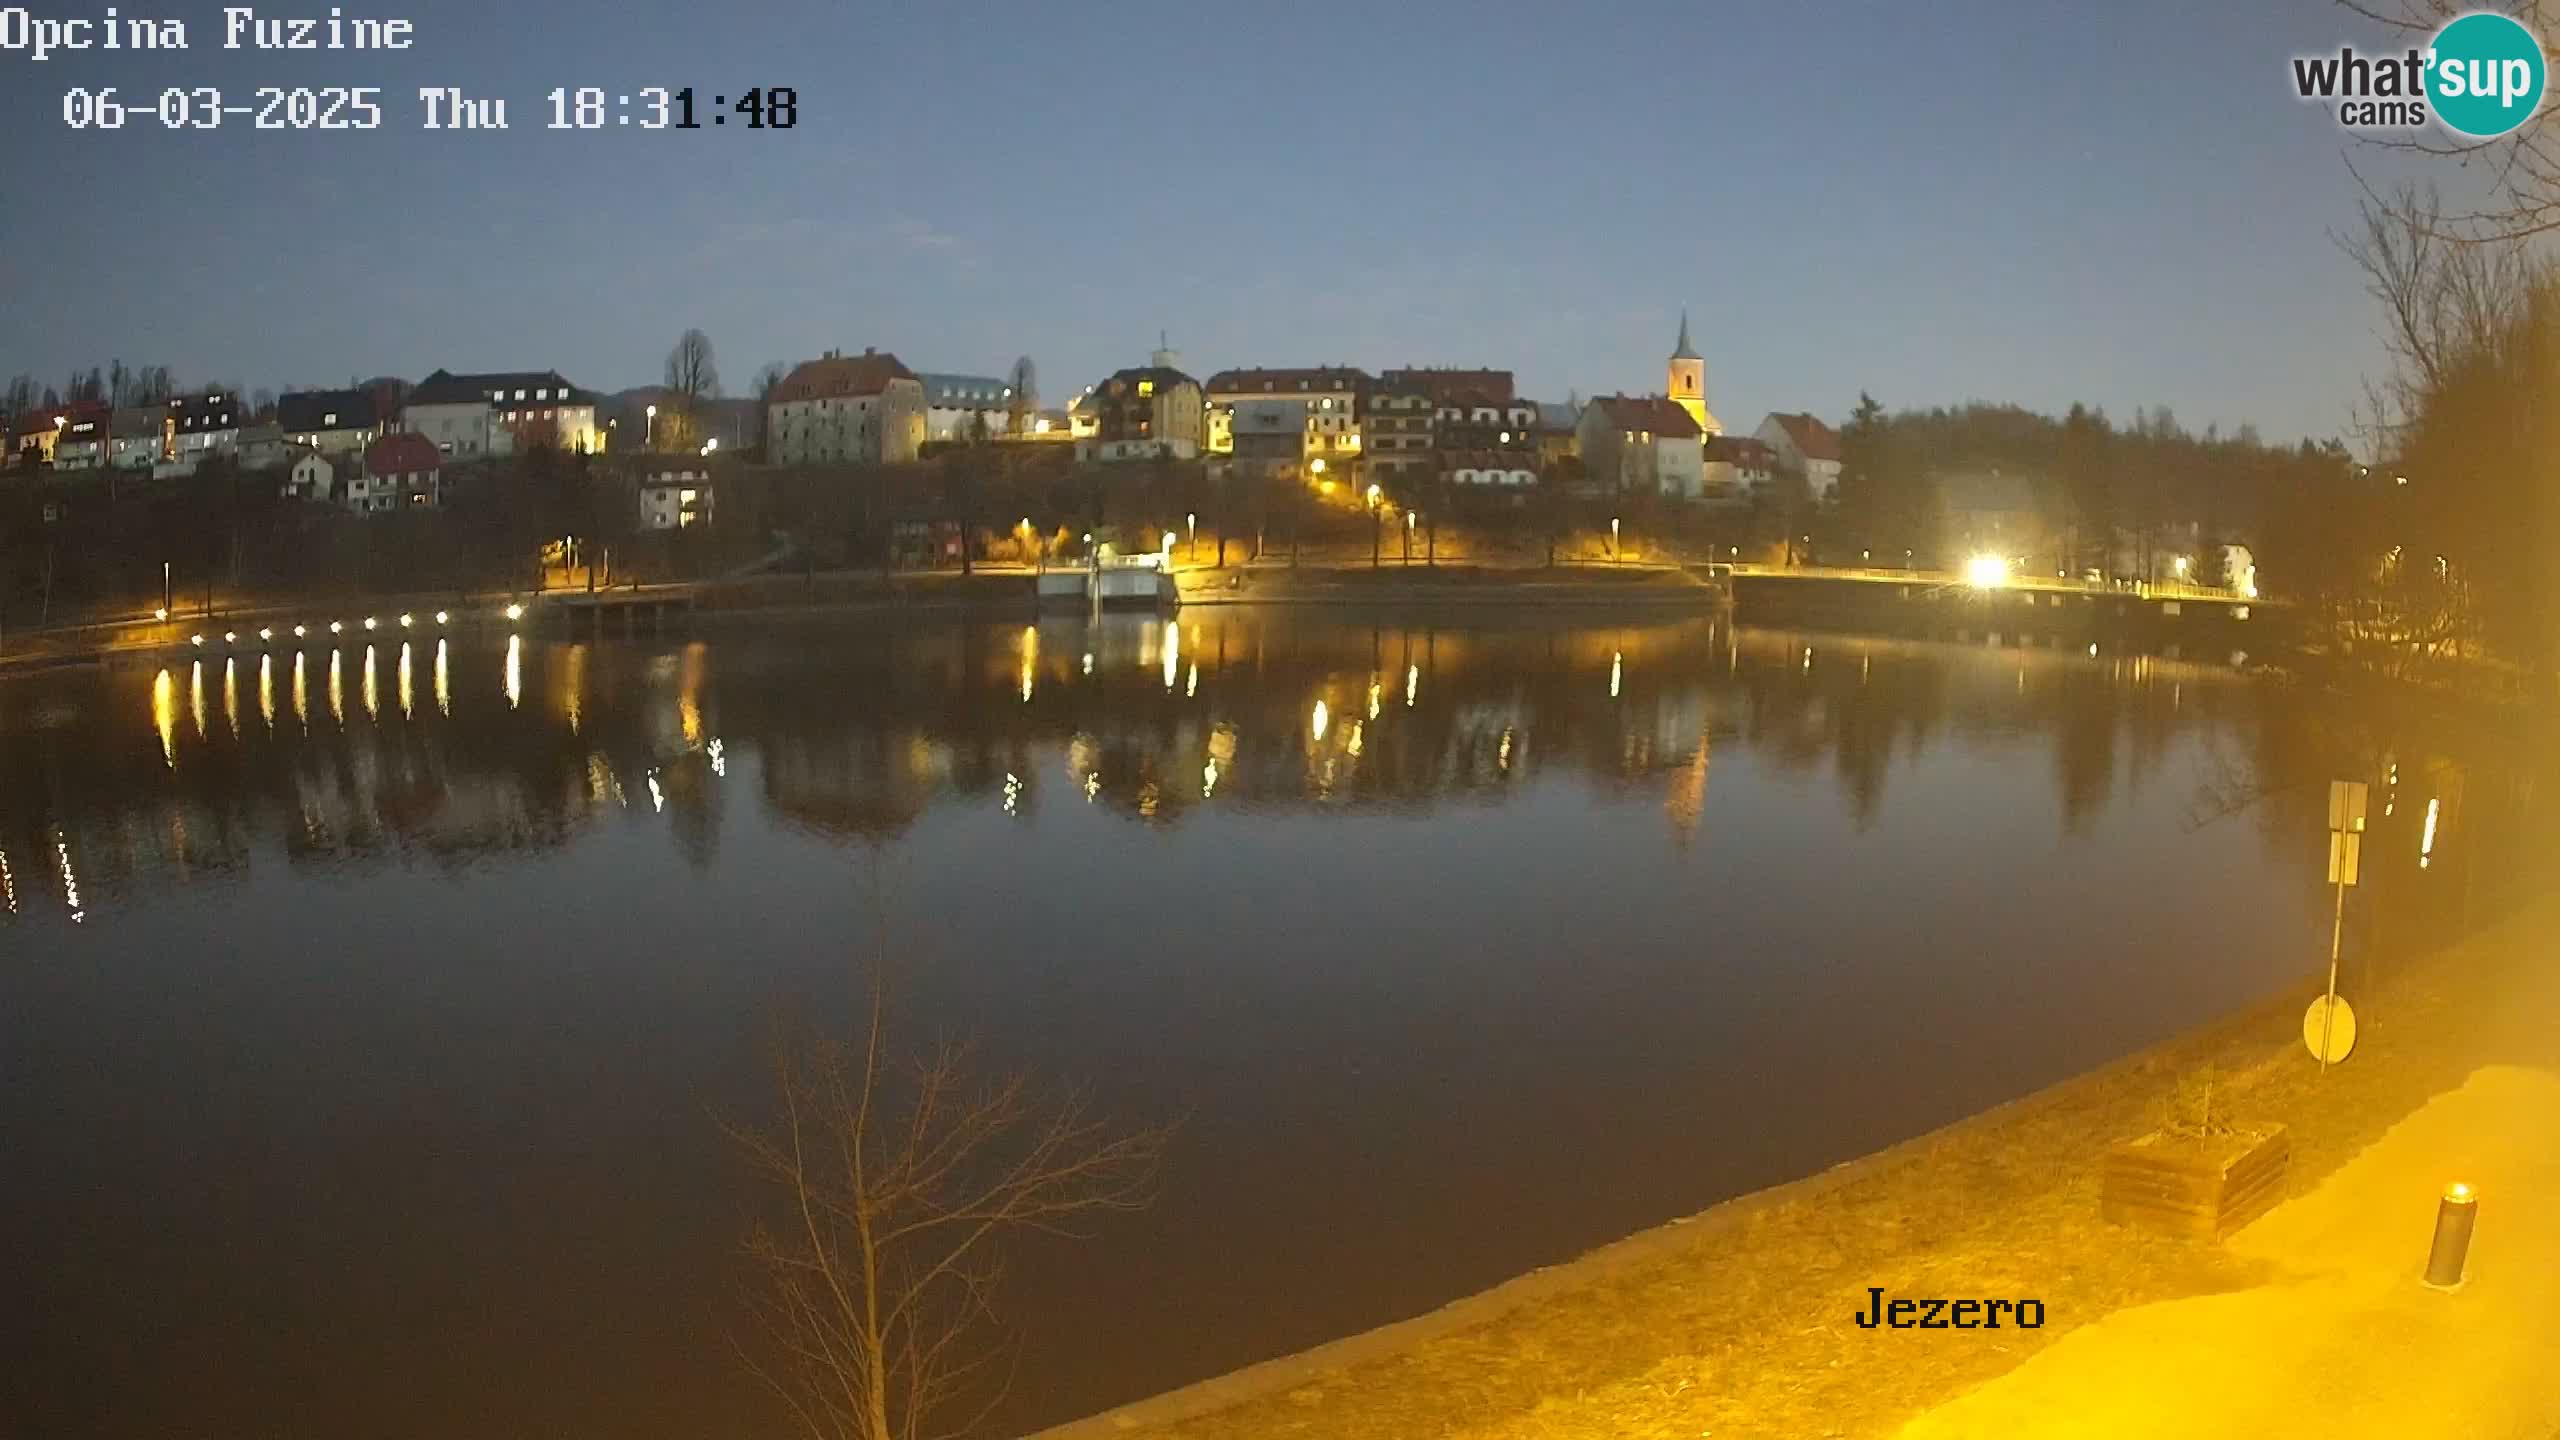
(1983, 199)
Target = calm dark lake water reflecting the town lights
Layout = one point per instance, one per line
(367, 1019)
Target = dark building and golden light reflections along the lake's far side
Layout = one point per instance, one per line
(1266, 714)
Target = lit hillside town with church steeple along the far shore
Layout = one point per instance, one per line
(856, 457)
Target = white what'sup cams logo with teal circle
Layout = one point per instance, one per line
(2479, 78)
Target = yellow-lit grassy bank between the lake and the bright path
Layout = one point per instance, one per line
(1745, 1259)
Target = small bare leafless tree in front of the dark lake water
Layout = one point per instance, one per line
(897, 1185)
